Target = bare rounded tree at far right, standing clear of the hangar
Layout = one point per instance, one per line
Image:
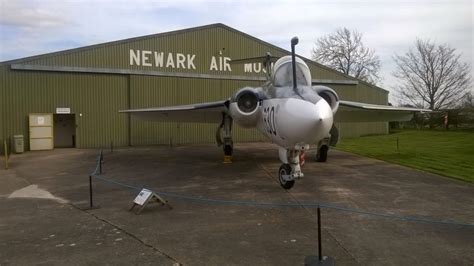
(432, 76)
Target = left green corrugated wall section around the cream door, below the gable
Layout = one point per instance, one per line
(93, 96)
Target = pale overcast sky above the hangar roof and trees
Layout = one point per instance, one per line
(30, 27)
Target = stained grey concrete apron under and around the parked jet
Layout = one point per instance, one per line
(38, 224)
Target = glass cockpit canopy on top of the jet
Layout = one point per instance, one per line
(282, 74)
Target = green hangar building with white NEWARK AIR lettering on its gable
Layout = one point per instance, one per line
(82, 89)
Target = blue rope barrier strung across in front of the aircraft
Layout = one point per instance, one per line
(95, 174)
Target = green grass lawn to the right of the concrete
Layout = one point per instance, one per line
(449, 153)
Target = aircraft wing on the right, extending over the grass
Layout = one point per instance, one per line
(363, 112)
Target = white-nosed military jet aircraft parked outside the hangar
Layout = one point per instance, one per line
(287, 109)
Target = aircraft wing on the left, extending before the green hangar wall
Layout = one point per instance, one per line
(210, 112)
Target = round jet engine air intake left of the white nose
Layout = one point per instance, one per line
(244, 107)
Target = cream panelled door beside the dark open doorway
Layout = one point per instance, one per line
(41, 132)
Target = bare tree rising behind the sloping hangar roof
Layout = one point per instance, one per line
(345, 52)
